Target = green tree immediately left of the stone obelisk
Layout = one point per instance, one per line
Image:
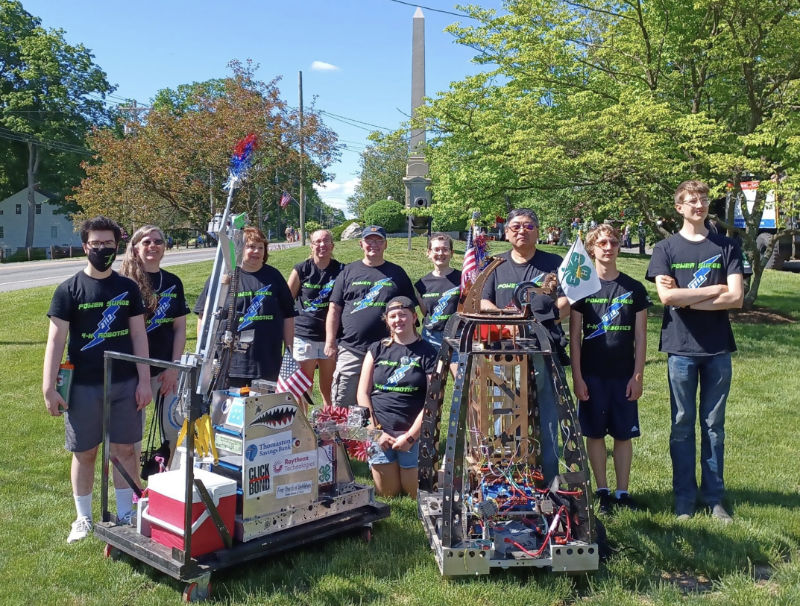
(383, 166)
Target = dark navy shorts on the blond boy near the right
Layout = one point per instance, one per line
(608, 412)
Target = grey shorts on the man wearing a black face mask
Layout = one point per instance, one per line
(83, 421)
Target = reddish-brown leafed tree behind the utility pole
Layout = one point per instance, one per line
(172, 163)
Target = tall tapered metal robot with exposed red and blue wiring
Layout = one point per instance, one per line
(512, 487)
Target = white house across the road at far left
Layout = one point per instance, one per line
(49, 228)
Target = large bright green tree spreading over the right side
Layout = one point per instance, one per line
(601, 108)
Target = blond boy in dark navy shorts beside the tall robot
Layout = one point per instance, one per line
(608, 333)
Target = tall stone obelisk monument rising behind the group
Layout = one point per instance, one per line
(416, 180)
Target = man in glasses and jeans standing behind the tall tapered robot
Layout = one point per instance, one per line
(524, 263)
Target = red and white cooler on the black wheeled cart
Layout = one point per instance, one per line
(165, 509)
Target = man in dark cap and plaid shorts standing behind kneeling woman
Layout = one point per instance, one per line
(356, 308)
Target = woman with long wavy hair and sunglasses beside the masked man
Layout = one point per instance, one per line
(163, 296)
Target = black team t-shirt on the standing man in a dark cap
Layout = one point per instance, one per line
(363, 293)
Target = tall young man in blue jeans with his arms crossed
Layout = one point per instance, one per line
(698, 274)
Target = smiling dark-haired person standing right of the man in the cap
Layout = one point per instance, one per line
(440, 290)
